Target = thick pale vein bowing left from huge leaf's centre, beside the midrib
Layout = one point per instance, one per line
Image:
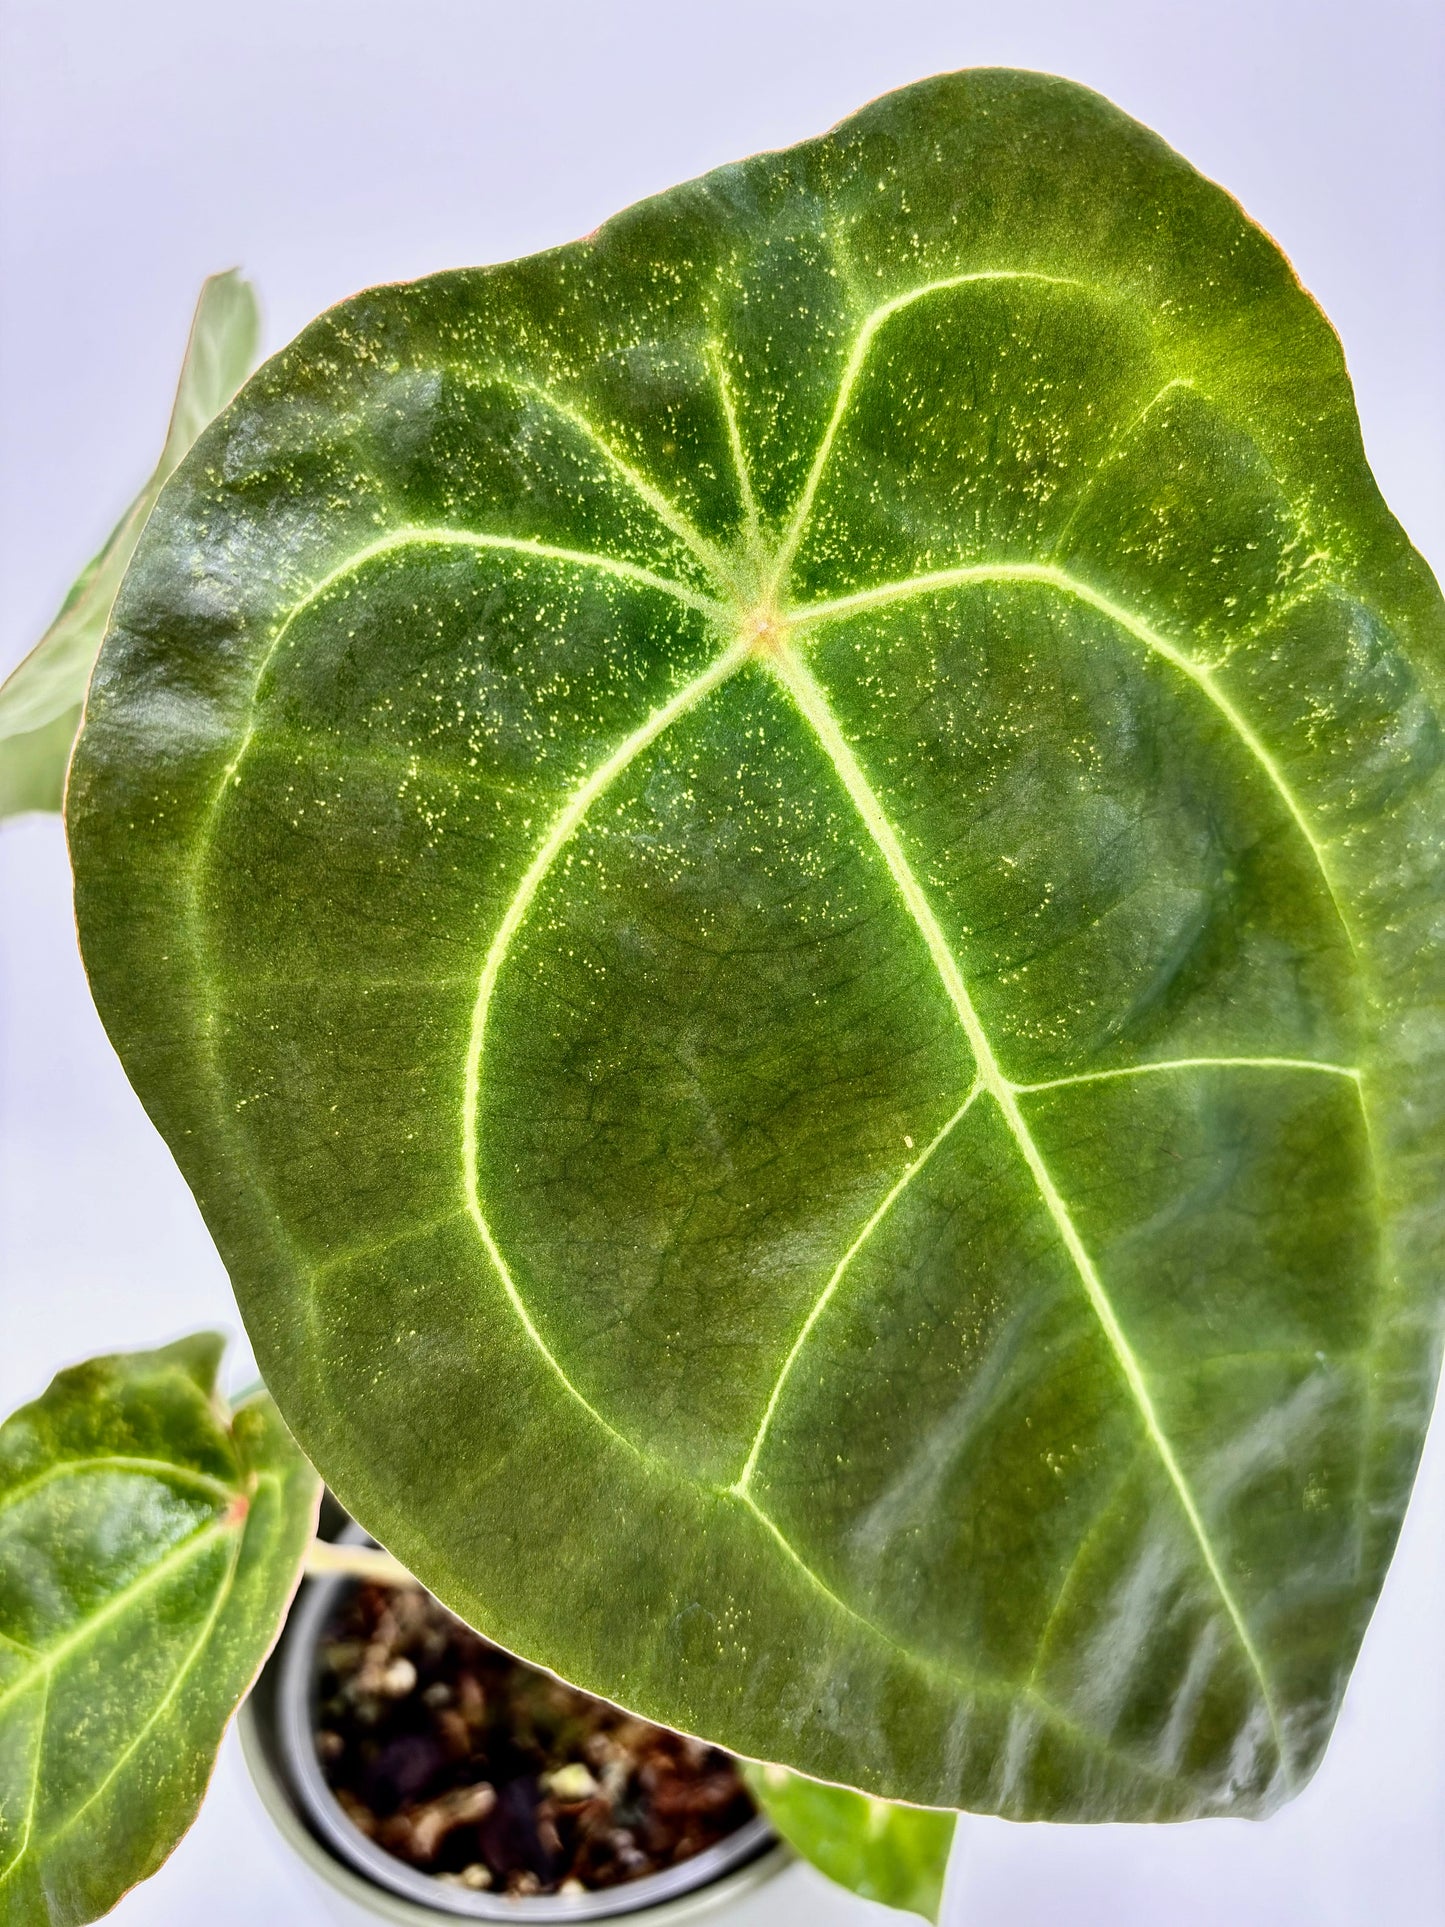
(558, 837)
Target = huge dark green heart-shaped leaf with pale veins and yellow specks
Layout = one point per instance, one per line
(779, 880)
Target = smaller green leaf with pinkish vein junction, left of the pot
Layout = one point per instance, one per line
(149, 1544)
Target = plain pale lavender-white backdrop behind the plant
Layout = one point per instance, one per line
(330, 144)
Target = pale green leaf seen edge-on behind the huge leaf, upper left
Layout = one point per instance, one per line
(41, 699)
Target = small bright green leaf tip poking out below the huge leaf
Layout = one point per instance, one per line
(878, 1849)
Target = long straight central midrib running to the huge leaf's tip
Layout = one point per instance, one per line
(816, 710)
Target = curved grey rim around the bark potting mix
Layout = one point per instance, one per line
(737, 1861)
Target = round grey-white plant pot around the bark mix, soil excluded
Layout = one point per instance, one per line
(278, 1737)
